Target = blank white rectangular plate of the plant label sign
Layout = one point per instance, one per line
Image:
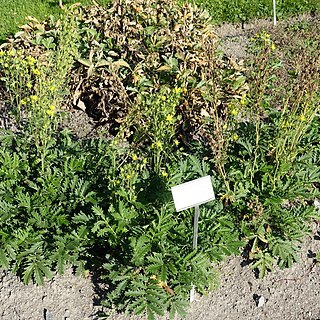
(192, 193)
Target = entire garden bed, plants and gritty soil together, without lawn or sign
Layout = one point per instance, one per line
(134, 132)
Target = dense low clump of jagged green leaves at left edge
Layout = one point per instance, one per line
(38, 228)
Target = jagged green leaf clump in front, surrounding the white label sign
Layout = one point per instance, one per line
(159, 267)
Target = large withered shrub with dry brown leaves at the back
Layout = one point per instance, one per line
(135, 47)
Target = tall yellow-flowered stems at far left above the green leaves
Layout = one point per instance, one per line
(36, 85)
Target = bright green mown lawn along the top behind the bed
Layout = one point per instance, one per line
(13, 13)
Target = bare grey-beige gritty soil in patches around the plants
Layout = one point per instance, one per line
(290, 294)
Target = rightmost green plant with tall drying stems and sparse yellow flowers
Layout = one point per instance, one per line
(271, 167)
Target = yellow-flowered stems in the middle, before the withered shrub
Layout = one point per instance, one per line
(154, 120)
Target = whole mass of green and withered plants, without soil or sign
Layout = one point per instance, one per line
(171, 108)
